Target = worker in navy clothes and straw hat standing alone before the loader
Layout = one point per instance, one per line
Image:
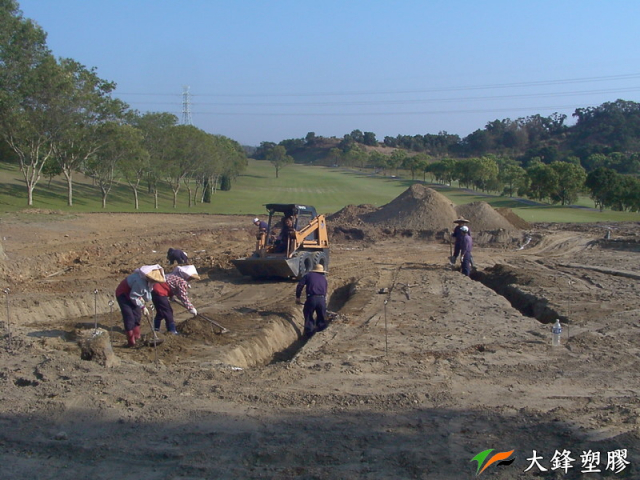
(316, 284)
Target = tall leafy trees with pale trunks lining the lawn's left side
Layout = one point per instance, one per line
(57, 117)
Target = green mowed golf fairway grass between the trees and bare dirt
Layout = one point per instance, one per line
(328, 189)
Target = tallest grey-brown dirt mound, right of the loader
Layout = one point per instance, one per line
(417, 208)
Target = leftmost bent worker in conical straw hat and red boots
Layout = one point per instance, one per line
(132, 295)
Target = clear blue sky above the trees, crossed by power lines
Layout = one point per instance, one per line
(269, 70)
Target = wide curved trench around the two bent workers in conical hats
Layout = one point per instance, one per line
(254, 338)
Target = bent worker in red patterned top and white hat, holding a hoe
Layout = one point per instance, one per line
(175, 286)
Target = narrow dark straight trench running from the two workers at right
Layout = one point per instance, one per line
(505, 282)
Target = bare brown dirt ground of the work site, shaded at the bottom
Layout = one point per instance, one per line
(421, 369)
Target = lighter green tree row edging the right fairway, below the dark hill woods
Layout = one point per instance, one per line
(558, 182)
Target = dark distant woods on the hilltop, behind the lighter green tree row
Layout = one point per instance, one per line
(604, 136)
